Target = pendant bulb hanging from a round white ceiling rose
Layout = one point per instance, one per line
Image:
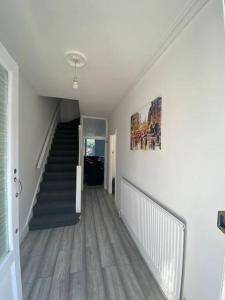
(77, 60)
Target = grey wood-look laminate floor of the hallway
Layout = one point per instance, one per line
(95, 259)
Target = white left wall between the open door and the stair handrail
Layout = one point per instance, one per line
(35, 115)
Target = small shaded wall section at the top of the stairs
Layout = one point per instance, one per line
(69, 110)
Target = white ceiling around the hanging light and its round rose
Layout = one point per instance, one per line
(118, 37)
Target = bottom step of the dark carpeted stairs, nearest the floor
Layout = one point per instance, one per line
(53, 221)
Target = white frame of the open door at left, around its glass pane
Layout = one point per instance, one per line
(11, 263)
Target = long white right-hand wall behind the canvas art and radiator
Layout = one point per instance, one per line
(188, 175)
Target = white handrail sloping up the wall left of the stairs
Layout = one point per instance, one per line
(48, 139)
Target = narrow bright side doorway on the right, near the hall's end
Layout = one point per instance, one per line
(112, 165)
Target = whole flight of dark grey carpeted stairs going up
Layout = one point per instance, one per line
(55, 205)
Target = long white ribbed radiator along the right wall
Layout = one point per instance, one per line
(159, 236)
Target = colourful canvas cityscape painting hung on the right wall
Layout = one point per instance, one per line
(145, 130)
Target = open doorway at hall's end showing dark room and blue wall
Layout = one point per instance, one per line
(94, 161)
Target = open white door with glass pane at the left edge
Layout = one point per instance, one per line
(10, 276)
